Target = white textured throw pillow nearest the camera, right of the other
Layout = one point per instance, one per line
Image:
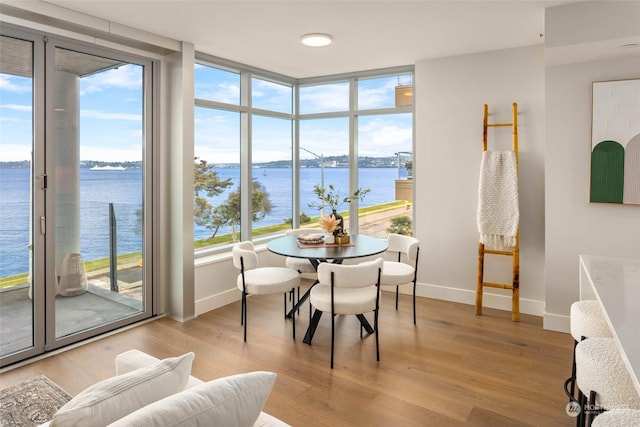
(234, 401)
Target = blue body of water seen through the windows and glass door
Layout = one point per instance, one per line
(124, 189)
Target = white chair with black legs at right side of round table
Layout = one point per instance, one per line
(398, 272)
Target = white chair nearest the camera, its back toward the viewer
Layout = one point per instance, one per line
(348, 289)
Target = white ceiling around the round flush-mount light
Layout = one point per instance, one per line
(367, 34)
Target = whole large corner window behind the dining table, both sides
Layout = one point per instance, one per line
(351, 133)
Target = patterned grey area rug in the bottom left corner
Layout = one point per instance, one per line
(31, 403)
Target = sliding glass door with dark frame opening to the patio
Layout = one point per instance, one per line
(77, 260)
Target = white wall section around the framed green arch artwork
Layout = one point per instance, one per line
(575, 226)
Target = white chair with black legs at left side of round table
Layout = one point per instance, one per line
(254, 280)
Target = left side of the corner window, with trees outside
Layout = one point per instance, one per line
(243, 156)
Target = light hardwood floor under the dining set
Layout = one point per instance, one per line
(453, 368)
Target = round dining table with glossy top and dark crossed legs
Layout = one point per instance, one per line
(359, 247)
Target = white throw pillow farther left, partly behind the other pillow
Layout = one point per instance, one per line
(115, 397)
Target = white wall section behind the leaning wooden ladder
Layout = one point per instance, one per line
(450, 93)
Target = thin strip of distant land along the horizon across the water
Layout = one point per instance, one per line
(329, 162)
